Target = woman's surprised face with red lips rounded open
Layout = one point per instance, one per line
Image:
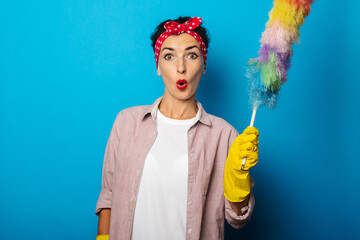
(180, 59)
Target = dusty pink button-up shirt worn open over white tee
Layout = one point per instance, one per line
(209, 140)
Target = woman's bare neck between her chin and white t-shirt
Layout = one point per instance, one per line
(177, 108)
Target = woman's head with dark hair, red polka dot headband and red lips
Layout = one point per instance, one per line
(180, 56)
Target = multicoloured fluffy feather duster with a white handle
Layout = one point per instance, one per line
(268, 71)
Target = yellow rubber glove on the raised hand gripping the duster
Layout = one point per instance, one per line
(237, 181)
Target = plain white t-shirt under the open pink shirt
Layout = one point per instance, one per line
(160, 211)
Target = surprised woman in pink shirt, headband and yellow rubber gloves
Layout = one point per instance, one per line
(171, 170)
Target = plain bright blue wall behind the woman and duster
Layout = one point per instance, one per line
(68, 67)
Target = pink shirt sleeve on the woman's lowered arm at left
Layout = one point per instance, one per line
(105, 197)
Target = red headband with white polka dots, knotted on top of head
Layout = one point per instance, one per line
(176, 28)
